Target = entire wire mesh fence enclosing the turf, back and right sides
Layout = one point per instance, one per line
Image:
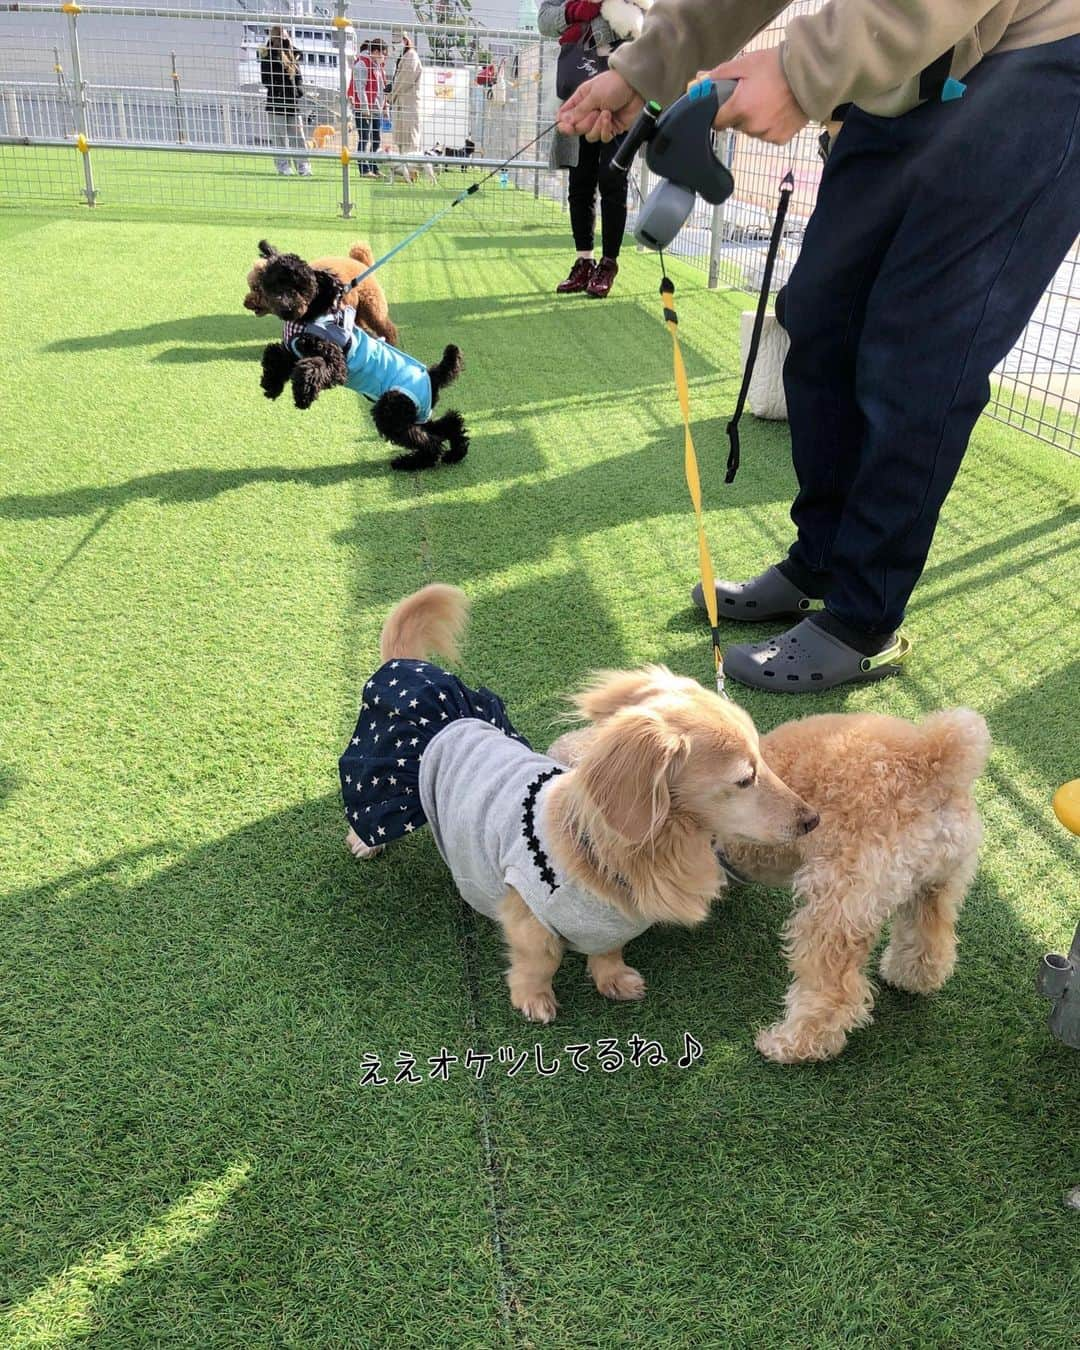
(138, 106)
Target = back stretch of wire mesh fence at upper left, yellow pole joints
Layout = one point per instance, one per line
(137, 106)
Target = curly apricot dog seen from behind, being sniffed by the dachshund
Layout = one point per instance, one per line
(898, 842)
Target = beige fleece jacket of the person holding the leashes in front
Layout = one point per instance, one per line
(865, 52)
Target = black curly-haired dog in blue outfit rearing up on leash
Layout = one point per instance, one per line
(322, 348)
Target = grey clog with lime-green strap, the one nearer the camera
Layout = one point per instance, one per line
(808, 659)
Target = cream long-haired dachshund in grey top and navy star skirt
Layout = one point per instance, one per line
(585, 858)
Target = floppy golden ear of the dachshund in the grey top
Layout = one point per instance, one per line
(626, 774)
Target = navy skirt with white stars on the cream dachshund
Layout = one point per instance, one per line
(406, 705)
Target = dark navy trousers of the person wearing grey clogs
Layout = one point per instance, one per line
(932, 242)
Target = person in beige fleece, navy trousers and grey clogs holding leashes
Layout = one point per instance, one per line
(948, 202)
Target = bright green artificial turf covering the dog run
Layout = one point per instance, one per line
(192, 969)
